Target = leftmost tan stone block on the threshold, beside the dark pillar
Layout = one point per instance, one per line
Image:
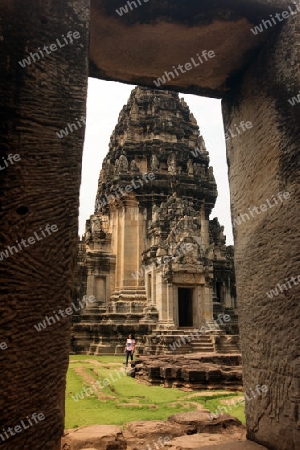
(101, 437)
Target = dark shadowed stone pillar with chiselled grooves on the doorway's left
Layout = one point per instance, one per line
(39, 100)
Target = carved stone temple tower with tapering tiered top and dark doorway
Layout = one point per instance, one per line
(155, 263)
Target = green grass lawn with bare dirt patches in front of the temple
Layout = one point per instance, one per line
(122, 399)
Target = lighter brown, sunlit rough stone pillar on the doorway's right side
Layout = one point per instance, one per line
(263, 162)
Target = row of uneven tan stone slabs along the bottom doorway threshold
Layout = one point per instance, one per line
(180, 431)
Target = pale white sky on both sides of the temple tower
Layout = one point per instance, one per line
(105, 101)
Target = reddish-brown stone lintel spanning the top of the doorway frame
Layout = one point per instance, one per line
(152, 38)
